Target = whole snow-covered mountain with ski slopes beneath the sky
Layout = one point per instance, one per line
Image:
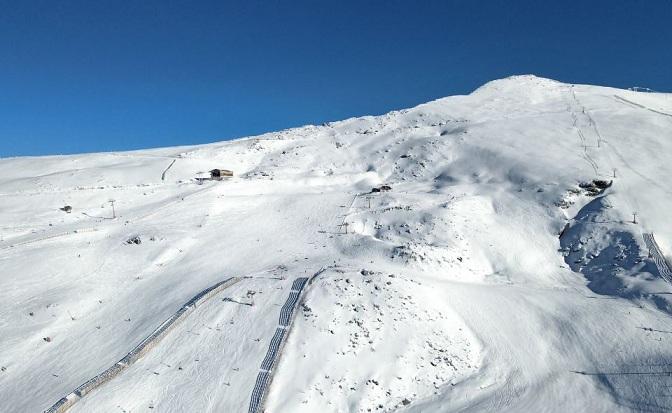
(496, 266)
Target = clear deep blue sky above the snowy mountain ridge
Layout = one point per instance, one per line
(96, 75)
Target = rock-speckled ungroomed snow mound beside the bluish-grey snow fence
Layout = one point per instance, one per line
(368, 344)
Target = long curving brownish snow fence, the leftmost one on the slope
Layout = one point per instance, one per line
(142, 348)
